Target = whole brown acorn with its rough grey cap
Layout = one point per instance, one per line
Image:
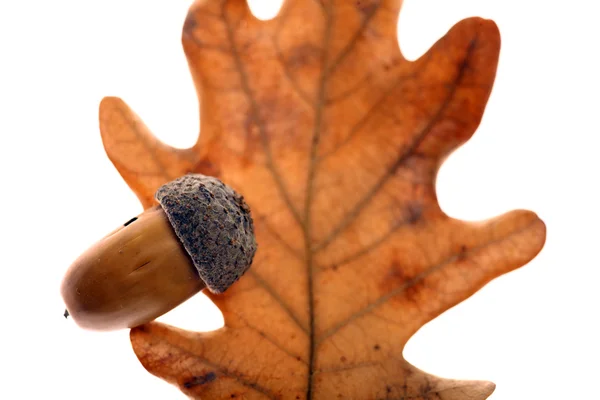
(201, 235)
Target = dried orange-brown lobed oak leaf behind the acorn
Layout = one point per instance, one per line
(335, 140)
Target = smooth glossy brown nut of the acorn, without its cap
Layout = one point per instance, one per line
(130, 277)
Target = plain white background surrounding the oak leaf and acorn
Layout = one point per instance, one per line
(534, 332)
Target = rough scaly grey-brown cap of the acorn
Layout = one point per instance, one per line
(214, 224)
